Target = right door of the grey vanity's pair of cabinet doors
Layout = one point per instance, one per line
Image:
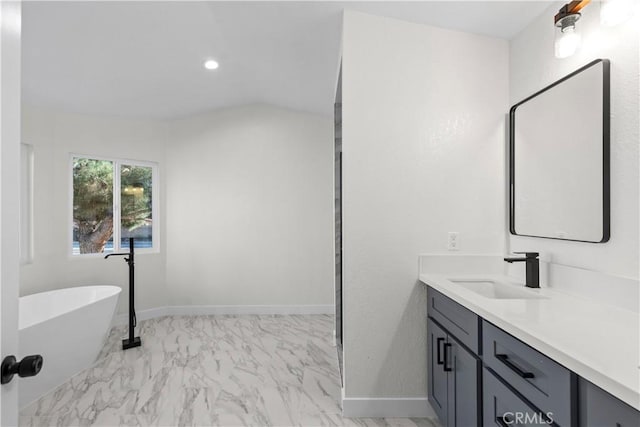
(463, 408)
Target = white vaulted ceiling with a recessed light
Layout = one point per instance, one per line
(144, 59)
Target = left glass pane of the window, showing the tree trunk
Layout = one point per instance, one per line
(92, 206)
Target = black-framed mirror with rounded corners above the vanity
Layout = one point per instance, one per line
(559, 158)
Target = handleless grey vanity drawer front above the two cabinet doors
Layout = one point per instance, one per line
(459, 321)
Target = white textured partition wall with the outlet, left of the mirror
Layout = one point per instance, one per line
(423, 154)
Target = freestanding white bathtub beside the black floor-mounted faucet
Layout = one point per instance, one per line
(68, 327)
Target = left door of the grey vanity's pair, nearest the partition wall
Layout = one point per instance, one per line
(437, 377)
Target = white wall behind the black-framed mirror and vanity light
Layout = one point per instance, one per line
(532, 67)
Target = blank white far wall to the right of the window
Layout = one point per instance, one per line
(250, 208)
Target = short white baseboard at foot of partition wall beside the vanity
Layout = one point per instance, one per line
(365, 407)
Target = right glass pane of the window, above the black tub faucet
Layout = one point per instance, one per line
(135, 200)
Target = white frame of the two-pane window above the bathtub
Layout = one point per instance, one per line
(155, 204)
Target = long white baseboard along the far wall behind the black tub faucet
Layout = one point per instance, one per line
(199, 310)
